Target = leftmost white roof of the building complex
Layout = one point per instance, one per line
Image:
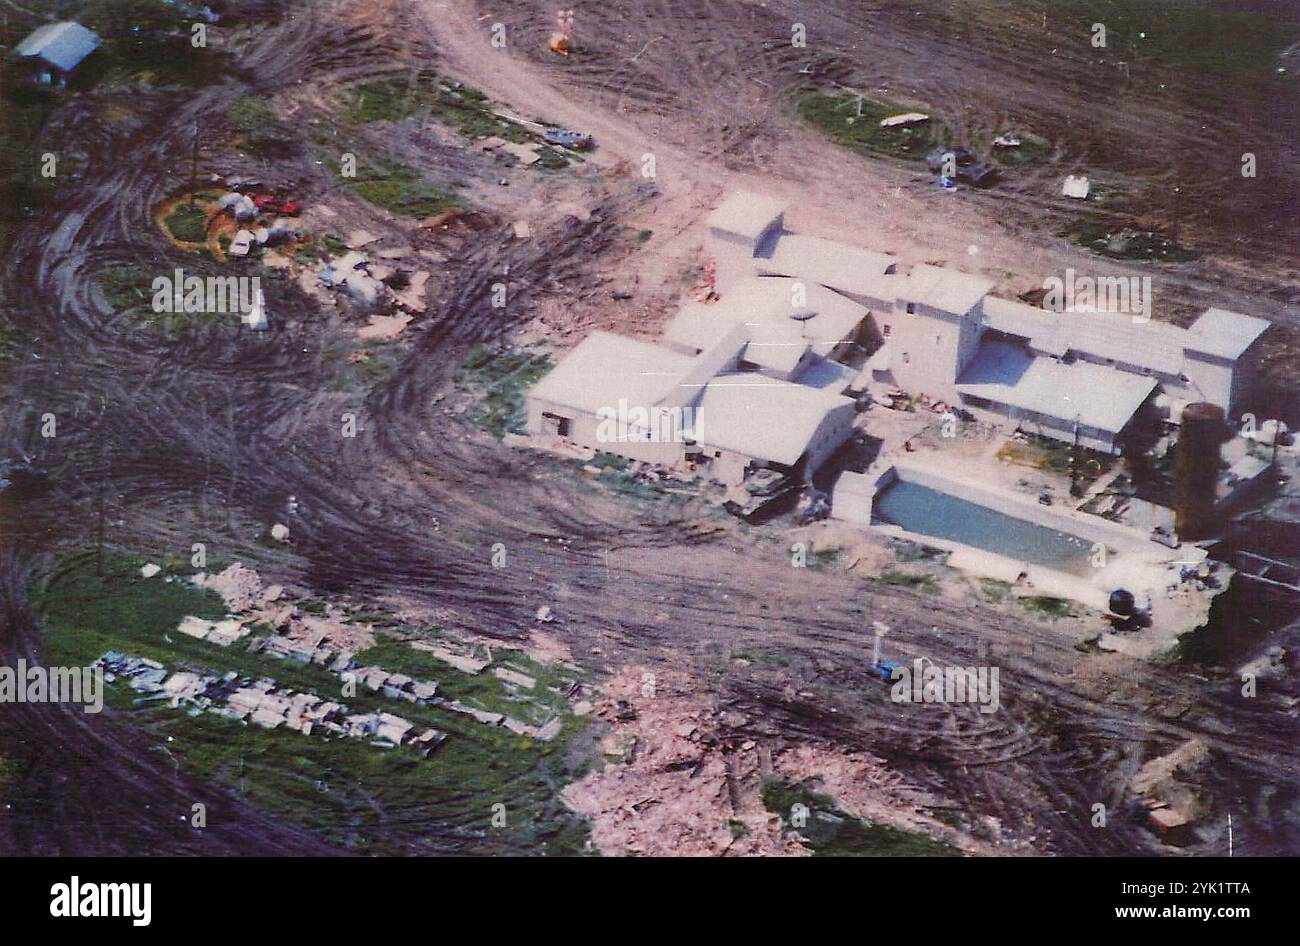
(606, 367)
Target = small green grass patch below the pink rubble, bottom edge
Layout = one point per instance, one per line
(833, 834)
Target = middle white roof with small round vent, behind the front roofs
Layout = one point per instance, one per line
(765, 306)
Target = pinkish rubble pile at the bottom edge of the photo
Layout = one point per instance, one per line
(687, 784)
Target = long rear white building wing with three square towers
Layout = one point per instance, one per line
(937, 332)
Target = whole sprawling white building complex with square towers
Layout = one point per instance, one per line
(759, 377)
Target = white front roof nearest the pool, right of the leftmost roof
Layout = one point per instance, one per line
(762, 418)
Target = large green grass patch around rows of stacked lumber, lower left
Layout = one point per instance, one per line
(370, 800)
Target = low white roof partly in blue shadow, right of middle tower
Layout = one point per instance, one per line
(1098, 397)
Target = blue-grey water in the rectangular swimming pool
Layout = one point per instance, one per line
(939, 515)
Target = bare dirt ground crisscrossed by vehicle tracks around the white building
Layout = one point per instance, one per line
(219, 428)
